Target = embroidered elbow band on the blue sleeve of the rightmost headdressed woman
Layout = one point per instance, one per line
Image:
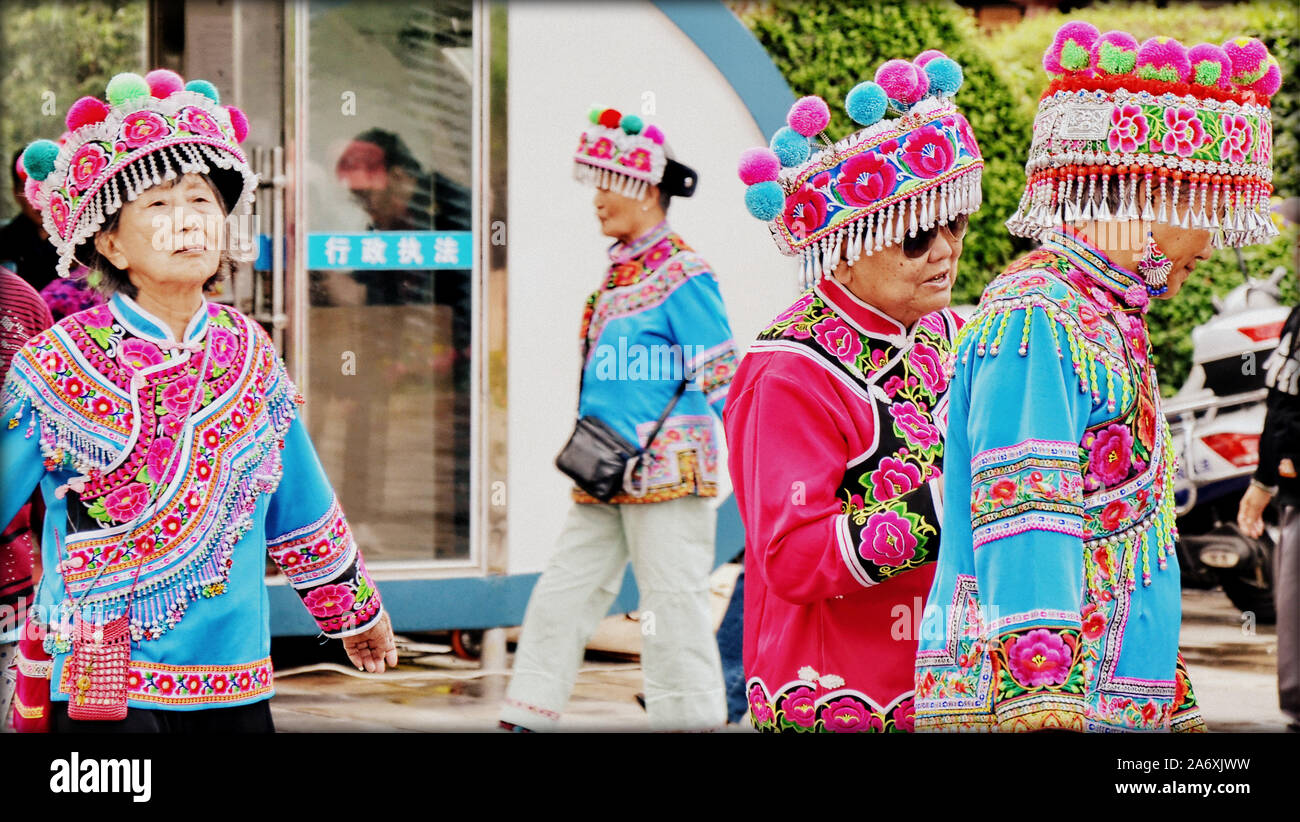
(1033, 486)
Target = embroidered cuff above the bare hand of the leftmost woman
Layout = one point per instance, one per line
(328, 572)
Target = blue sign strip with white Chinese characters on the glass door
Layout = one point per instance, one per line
(391, 250)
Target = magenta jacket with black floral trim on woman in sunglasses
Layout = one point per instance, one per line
(835, 430)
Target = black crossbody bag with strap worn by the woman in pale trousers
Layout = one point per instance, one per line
(599, 458)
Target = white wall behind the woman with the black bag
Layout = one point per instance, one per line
(564, 59)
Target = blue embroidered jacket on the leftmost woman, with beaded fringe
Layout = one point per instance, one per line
(166, 487)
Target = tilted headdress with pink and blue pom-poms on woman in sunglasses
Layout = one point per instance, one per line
(866, 192)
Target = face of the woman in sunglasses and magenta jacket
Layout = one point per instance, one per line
(907, 287)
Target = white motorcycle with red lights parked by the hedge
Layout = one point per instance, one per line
(1216, 419)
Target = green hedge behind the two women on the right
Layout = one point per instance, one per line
(826, 49)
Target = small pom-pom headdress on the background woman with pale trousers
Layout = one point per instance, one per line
(622, 154)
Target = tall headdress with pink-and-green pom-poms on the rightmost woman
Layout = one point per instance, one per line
(1149, 127)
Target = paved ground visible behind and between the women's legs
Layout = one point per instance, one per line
(1232, 668)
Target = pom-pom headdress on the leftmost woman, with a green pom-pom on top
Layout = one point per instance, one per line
(151, 129)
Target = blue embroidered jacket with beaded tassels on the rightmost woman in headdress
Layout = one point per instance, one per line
(1058, 598)
